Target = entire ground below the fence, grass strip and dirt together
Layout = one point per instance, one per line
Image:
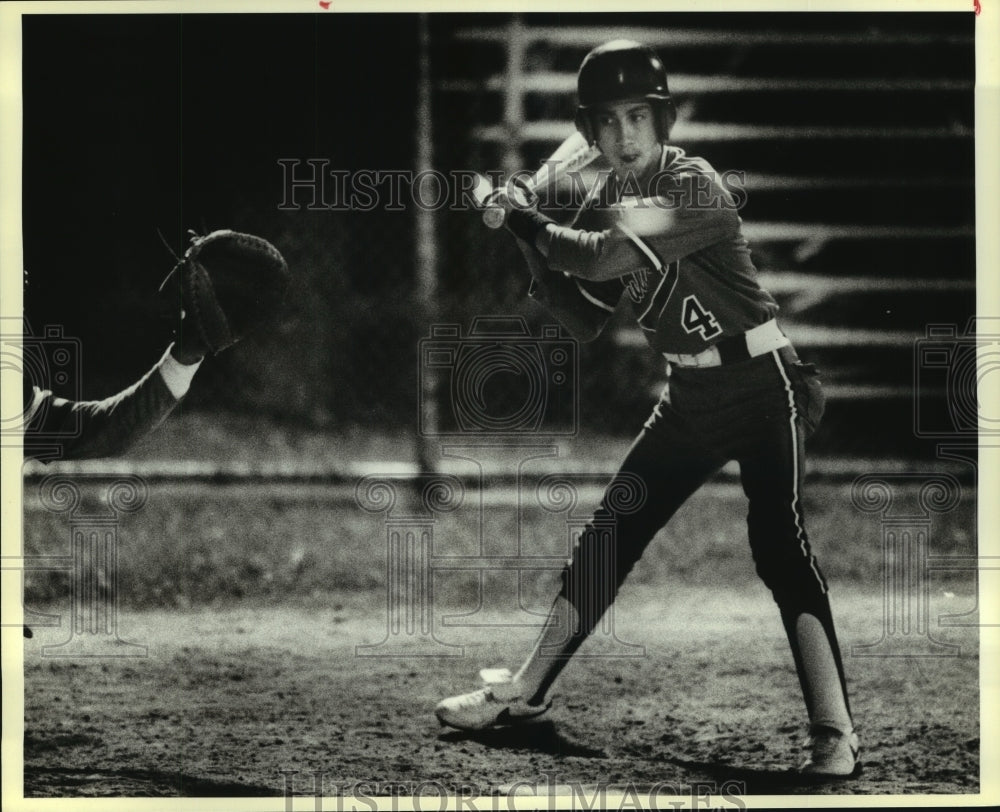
(251, 601)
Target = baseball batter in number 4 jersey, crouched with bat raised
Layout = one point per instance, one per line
(736, 391)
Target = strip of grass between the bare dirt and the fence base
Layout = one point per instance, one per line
(194, 544)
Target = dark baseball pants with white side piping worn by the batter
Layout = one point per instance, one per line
(757, 412)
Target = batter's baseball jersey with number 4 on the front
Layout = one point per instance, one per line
(689, 279)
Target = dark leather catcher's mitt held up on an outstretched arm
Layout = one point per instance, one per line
(229, 283)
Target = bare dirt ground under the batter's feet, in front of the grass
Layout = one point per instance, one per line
(259, 701)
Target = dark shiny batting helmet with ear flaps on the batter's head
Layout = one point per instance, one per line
(619, 70)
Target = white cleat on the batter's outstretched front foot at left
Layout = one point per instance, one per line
(500, 702)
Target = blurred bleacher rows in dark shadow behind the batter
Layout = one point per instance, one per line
(854, 134)
